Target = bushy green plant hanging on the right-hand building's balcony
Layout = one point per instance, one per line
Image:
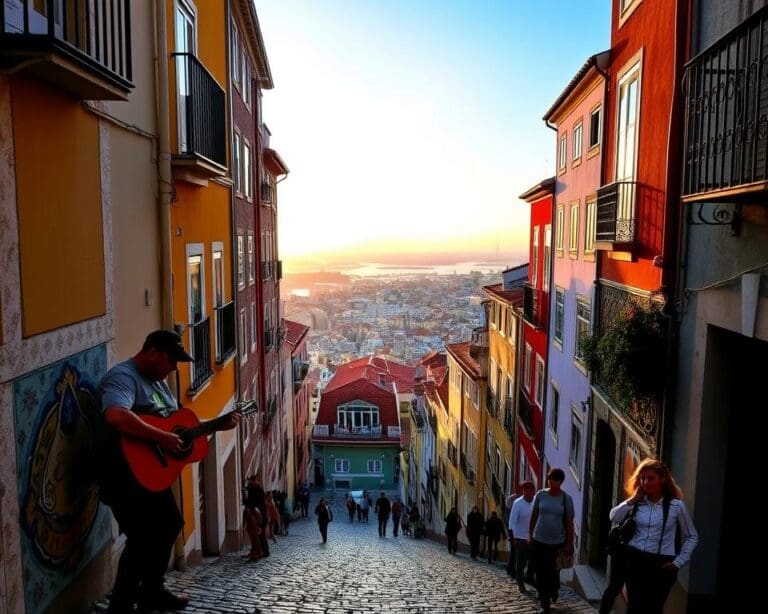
(629, 356)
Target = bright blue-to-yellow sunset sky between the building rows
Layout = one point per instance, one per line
(411, 127)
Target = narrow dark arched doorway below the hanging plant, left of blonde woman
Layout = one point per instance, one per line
(602, 492)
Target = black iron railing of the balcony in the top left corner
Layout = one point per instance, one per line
(94, 34)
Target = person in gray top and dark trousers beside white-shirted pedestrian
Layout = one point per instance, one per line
(551, 530)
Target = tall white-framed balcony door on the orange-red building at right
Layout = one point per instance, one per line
(626, 140)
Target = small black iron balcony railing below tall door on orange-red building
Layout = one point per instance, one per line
(615, 220)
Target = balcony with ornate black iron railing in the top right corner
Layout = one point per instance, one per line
(726, 130)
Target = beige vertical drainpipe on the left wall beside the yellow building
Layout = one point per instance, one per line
(165, 190)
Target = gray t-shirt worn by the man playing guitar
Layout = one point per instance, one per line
(124, 386)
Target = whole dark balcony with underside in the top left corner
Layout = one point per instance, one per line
(81, 46)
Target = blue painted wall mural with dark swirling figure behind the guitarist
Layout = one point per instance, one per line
(63, 524)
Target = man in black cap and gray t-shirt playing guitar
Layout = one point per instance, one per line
(149, 519)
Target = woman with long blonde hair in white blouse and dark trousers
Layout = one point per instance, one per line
(652, 561)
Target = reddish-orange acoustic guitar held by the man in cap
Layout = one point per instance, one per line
(156, 469)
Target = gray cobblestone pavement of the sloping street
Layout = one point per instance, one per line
(355, 572)
